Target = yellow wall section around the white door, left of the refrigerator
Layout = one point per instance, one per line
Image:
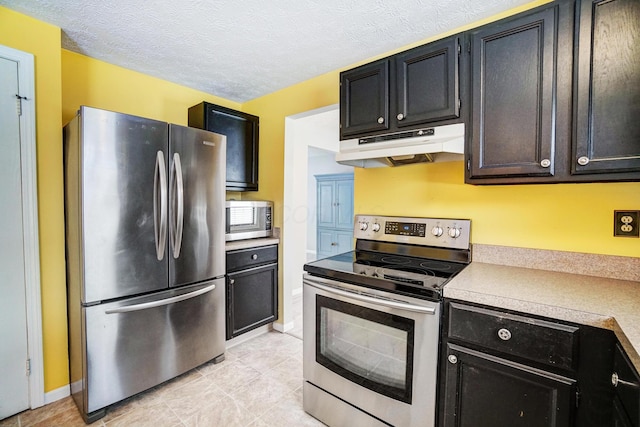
(43, 41)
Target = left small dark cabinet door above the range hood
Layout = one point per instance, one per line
(364, 99)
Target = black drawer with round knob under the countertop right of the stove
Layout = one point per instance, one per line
(548, 343)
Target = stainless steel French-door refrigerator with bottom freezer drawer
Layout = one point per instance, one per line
(145, 223)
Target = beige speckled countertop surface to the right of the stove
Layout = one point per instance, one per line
(603, 302)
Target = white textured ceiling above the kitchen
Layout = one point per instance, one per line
(243, 49)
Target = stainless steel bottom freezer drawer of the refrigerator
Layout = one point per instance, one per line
(135, 344)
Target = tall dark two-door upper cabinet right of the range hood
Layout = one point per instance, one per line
(554, 95)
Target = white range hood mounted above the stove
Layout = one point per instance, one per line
(441, 143)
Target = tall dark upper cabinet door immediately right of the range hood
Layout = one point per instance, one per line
(513, 96)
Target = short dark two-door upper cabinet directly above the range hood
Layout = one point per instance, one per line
(414, 88)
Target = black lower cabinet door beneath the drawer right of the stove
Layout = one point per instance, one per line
(481, 390)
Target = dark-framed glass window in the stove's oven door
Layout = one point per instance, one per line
(365, 346)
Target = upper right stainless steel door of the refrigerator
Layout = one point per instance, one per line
(196, 205)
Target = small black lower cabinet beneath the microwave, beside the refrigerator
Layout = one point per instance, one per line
(252, 289)
